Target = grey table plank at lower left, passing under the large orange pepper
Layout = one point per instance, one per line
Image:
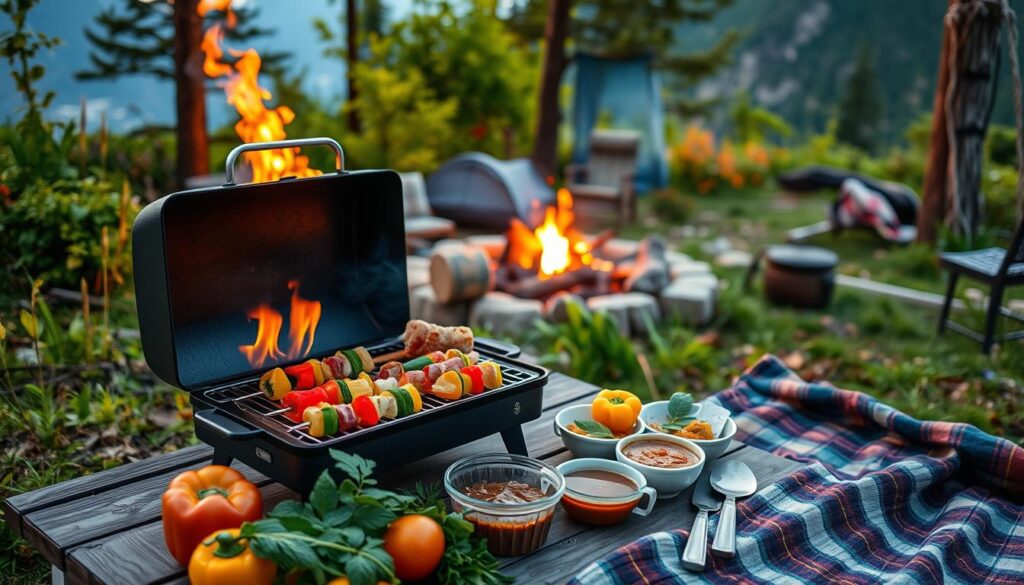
(140, 557)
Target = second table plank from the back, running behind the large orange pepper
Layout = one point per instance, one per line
(54, 530)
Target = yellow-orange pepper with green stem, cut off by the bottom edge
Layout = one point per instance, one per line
(225, 560)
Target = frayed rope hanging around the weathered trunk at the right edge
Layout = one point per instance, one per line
(962, 16)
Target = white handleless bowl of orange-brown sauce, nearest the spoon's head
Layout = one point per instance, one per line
(670, 464)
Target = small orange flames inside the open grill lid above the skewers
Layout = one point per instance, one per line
(304, 319)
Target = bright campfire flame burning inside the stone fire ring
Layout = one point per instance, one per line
(554, 247)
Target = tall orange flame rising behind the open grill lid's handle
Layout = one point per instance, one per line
(259, 124)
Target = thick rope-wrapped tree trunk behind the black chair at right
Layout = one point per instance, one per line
(977, 47)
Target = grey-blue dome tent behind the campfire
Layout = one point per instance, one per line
(476, 189)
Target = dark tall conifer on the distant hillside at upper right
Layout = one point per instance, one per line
(861, 109)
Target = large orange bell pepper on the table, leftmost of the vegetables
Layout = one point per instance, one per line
(199, 503)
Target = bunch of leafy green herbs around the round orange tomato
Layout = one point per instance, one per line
(339, 532)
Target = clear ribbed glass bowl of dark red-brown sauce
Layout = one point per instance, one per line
(509, 498)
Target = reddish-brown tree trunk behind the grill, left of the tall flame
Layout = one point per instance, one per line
(193, 148)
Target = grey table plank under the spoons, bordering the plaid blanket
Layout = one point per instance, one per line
(576, 546)
